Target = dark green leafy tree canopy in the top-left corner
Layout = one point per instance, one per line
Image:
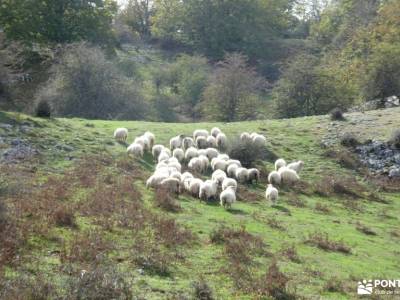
(58, 21)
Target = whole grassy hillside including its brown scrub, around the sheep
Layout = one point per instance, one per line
(79, 203)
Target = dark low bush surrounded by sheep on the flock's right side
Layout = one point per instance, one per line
(248, 153)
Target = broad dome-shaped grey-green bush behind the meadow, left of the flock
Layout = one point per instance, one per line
(86, 84)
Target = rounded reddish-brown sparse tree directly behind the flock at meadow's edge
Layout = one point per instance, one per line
(233, 91)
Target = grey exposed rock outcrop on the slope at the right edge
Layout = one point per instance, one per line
(380, 158)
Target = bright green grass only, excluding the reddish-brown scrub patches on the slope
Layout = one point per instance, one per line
(371, 257)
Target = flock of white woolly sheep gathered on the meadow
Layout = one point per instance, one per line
(201, 152)
